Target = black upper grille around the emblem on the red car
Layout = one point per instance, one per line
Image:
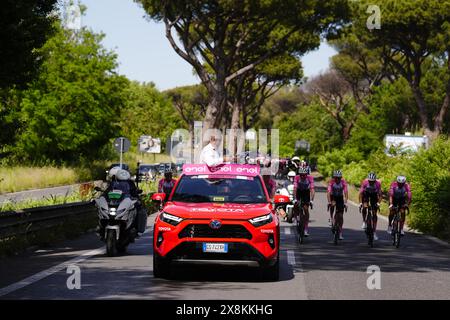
(205, 231)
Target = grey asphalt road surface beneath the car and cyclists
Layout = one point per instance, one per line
(419, 269)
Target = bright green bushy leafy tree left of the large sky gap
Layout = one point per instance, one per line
(73, 108)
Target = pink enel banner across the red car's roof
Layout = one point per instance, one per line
(223, 169)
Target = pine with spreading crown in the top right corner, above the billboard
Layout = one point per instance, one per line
(412, 33)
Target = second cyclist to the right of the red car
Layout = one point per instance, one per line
(337, 195)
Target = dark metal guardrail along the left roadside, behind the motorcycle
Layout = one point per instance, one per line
(26, 221)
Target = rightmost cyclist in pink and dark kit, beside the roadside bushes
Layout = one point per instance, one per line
(399, 197)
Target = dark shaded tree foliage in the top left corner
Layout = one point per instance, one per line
(25, 25)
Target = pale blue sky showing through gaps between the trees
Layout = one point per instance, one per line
(145, 54)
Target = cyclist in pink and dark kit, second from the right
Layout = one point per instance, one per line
(370, 193)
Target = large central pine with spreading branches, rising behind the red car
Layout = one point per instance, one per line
(206, 28)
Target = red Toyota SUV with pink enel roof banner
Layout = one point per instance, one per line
(217, 215)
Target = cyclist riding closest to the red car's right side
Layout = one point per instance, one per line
(304, 193)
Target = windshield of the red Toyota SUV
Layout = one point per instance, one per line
(243, 190)
